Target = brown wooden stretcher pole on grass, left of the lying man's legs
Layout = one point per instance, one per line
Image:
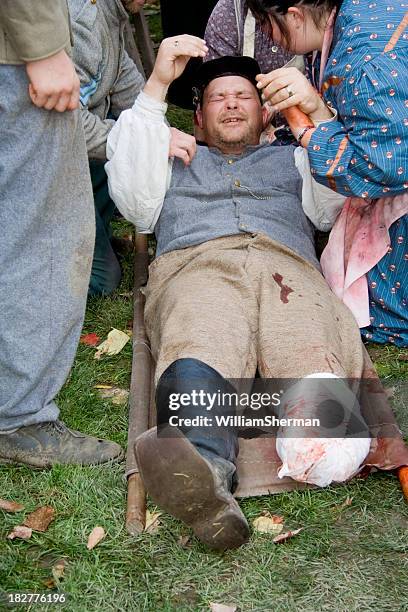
(140, 392)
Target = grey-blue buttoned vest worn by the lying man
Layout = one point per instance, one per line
(218, 195)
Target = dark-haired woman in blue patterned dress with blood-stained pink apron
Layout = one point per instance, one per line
(356, 139)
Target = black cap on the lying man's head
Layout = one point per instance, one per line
(229, 65)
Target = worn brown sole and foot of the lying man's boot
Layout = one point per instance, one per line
(192, 488)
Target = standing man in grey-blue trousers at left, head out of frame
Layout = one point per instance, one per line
(47, 217)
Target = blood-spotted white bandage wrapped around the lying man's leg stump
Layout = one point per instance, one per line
(326, 452)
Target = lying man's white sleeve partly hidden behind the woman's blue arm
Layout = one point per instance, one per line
(320, 204)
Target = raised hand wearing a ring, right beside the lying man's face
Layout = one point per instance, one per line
(287, 87)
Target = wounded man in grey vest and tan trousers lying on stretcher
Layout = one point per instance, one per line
(236, 288)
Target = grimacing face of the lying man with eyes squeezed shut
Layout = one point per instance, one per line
(231, 115)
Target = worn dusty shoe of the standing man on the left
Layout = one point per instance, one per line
(45, 444)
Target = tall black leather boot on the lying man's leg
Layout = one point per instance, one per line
(190, 471)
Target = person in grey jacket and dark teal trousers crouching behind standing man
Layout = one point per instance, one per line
(110, 82)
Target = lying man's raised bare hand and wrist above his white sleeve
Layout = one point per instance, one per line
(171, 60)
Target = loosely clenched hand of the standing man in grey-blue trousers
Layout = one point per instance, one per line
(54, 84)
